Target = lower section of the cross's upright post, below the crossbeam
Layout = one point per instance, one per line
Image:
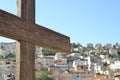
(25, 61)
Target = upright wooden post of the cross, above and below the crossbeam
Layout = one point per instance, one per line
(25, 57)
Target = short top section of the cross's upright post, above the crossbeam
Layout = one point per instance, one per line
(26, 10)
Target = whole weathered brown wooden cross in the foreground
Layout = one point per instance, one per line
(28, 35)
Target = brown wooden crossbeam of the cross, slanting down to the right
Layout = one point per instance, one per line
(14, 27)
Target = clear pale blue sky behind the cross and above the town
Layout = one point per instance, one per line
(84, 21)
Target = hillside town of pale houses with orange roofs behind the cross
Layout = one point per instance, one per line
(90, 62)
